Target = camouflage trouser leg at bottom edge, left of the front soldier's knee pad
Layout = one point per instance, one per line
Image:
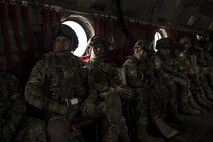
(34, 131)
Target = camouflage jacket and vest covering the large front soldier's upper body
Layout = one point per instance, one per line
(57, 81)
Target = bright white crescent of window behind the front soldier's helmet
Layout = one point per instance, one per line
(82, 37)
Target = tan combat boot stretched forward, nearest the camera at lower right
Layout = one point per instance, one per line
(165, 129)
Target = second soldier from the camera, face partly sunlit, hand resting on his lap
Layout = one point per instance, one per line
(107, 84)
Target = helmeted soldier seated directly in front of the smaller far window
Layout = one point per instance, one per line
(162, 63)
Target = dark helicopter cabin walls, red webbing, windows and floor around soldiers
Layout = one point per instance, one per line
(26, 26)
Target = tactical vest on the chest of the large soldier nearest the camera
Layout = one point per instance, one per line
(66, 80)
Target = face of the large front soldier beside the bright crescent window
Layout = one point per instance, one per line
(61, 44)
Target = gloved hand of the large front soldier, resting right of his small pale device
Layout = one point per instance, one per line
(87, 108)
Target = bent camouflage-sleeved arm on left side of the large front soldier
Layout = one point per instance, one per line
(35, 91)
